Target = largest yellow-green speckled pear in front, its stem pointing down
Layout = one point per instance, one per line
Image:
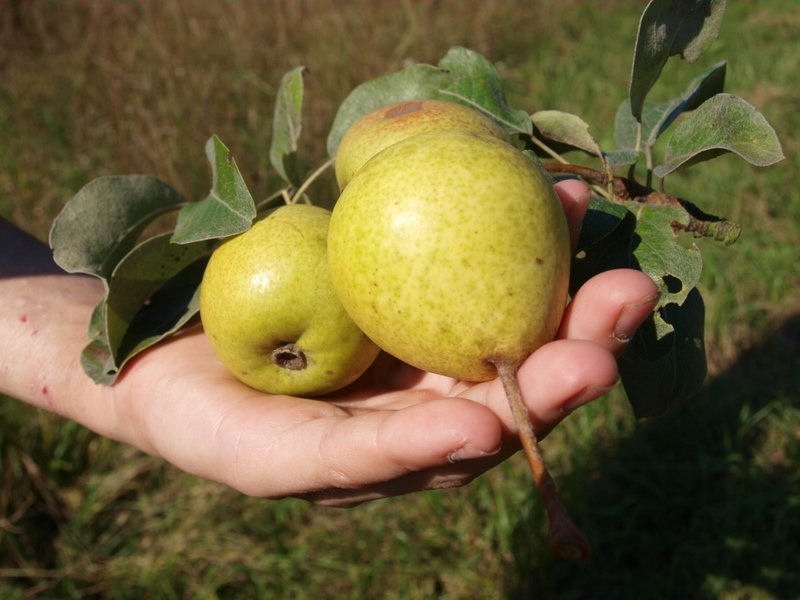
(450, 249)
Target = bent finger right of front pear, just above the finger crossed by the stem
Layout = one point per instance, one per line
(609, 308)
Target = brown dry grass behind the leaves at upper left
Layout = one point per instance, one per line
(138, 87)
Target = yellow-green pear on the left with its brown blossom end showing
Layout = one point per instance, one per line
(270, 311)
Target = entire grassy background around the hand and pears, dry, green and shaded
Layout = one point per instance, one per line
(702, 503)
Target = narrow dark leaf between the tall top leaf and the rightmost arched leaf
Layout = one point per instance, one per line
(657, 117)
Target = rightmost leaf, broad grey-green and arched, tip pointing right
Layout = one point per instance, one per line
(724, 123)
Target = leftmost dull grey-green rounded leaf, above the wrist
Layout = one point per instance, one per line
(103, 221)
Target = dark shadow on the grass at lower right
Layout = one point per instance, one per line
(701, 503)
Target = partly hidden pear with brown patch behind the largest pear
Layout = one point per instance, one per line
(391, 123)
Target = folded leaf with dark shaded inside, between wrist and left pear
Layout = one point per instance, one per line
(151, 293)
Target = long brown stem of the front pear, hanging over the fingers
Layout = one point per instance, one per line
(566, 540)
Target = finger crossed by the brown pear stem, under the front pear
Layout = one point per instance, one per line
(555, 380)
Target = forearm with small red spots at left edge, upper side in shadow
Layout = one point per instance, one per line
(43, 317)
